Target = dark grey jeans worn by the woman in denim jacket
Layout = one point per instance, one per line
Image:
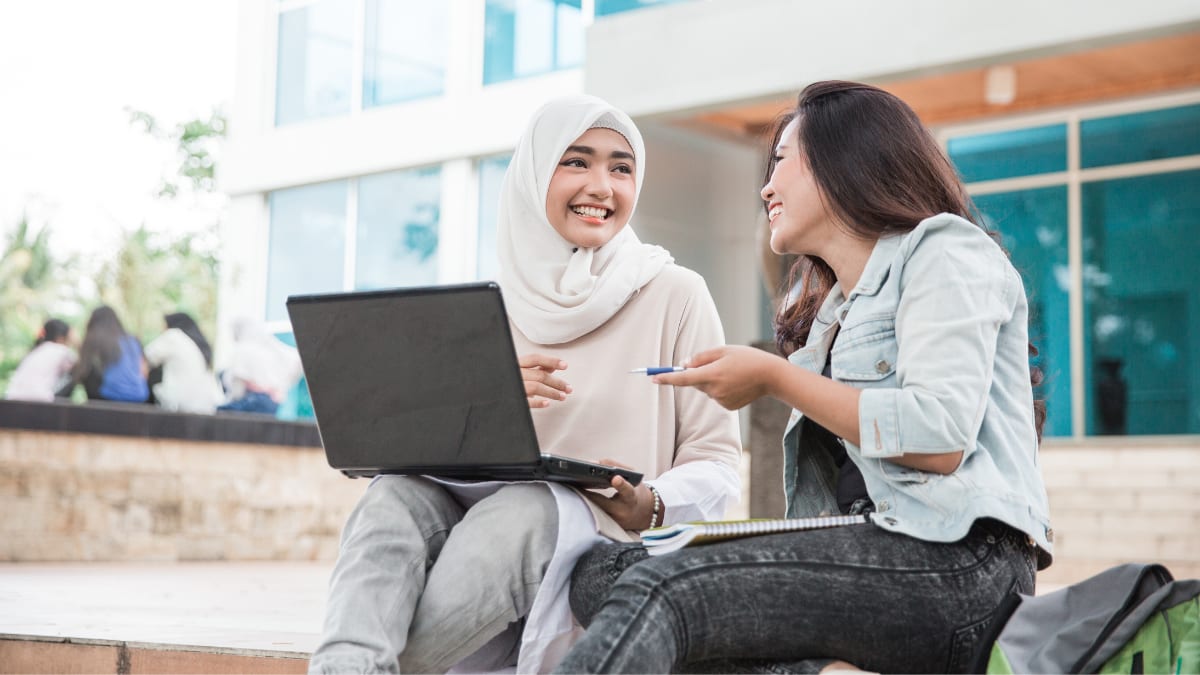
(793, 602)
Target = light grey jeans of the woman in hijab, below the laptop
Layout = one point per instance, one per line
(422, 583)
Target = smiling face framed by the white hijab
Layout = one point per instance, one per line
(593, 189)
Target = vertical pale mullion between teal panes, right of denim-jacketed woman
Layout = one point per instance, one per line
(1076, 267)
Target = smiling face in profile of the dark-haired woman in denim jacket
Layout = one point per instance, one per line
(800, 220)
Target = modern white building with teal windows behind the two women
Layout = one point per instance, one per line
(369, 139)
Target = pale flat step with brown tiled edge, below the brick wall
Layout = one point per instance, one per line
(160, 618)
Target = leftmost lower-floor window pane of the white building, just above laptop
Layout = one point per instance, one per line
(307, 243)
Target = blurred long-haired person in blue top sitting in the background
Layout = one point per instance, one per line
(111, 365)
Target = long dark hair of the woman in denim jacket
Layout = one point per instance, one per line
(880, 172)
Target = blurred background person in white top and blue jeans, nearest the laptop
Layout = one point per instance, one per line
(262, 369)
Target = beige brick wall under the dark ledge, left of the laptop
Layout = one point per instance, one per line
(93, 498)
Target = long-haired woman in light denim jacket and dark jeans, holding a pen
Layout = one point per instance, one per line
(909, 374)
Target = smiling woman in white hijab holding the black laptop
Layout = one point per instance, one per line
(430, 574)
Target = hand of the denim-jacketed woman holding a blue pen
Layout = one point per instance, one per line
(733, 377)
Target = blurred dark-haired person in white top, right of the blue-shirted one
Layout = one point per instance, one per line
(185, 357)
